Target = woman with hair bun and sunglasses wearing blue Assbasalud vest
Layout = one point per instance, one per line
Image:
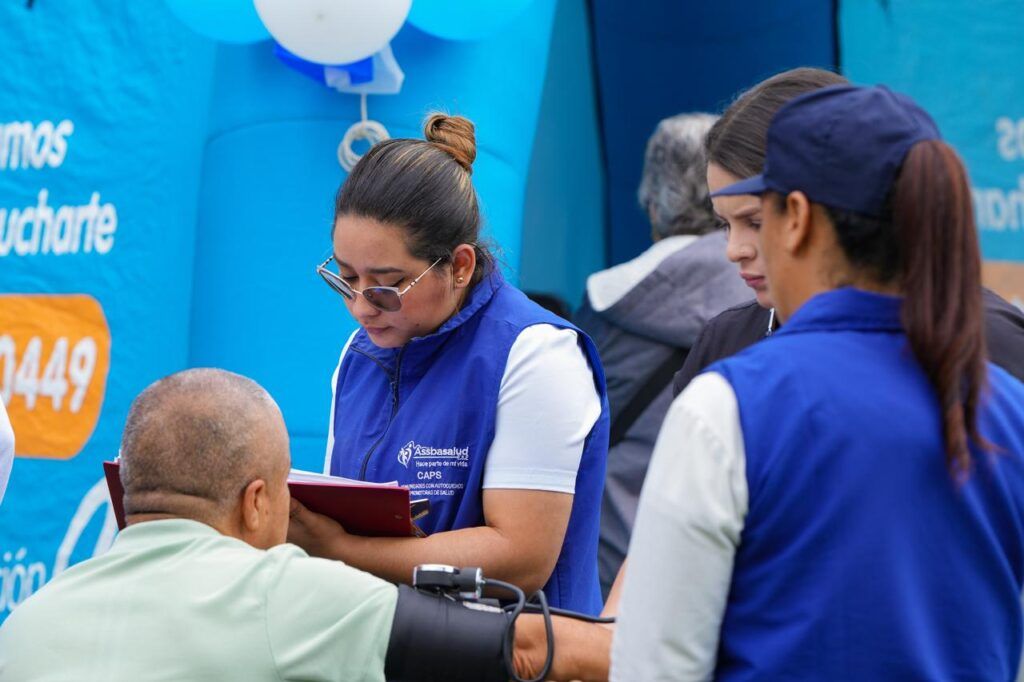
(457, 386)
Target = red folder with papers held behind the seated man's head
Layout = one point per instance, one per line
(363, 510)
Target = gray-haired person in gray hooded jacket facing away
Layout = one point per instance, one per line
(646, 315)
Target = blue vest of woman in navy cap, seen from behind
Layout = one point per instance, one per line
(861, 558)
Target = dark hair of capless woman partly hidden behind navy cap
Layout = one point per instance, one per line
(737, 142)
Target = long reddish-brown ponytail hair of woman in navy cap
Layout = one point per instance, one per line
(926, 240)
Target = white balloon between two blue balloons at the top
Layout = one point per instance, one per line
(333, 31)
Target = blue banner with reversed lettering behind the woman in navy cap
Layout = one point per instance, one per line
(962, 62)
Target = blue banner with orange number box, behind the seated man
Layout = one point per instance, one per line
(103, 121)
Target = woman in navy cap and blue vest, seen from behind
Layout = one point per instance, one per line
(846, 499)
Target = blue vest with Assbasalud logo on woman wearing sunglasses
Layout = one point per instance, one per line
(424, 415)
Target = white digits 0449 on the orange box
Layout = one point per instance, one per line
(22, 376)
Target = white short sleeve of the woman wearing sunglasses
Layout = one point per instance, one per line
(547, 405)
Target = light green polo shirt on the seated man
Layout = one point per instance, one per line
(177, 601)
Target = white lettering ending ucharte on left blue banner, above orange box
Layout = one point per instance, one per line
(42, 230)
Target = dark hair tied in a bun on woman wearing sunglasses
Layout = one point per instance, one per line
(423, 187)
